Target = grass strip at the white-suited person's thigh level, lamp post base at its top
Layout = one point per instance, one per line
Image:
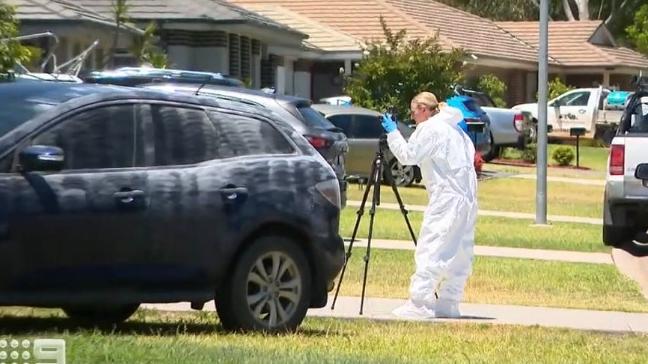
(491, 231)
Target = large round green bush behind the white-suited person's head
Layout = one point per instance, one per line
(392, 72)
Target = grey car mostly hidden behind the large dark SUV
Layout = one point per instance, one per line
(296, 111)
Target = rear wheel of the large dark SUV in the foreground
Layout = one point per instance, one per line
(268, 289)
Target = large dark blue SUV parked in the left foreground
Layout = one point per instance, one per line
(111, 197)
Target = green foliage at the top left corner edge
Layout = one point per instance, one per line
(11, 51)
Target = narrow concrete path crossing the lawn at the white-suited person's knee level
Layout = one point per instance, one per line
(490, 251)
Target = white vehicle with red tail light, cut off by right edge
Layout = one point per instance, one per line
(626, 190)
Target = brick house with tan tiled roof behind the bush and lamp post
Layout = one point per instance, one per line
(582, 53)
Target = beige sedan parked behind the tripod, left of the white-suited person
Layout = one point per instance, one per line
(363, 130)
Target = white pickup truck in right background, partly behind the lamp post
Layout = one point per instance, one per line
(583, 107)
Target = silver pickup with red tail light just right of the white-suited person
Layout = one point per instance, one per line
(508, 128)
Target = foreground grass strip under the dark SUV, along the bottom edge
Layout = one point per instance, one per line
(169, 338)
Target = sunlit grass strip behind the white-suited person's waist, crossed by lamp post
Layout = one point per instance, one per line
(510, 194)
